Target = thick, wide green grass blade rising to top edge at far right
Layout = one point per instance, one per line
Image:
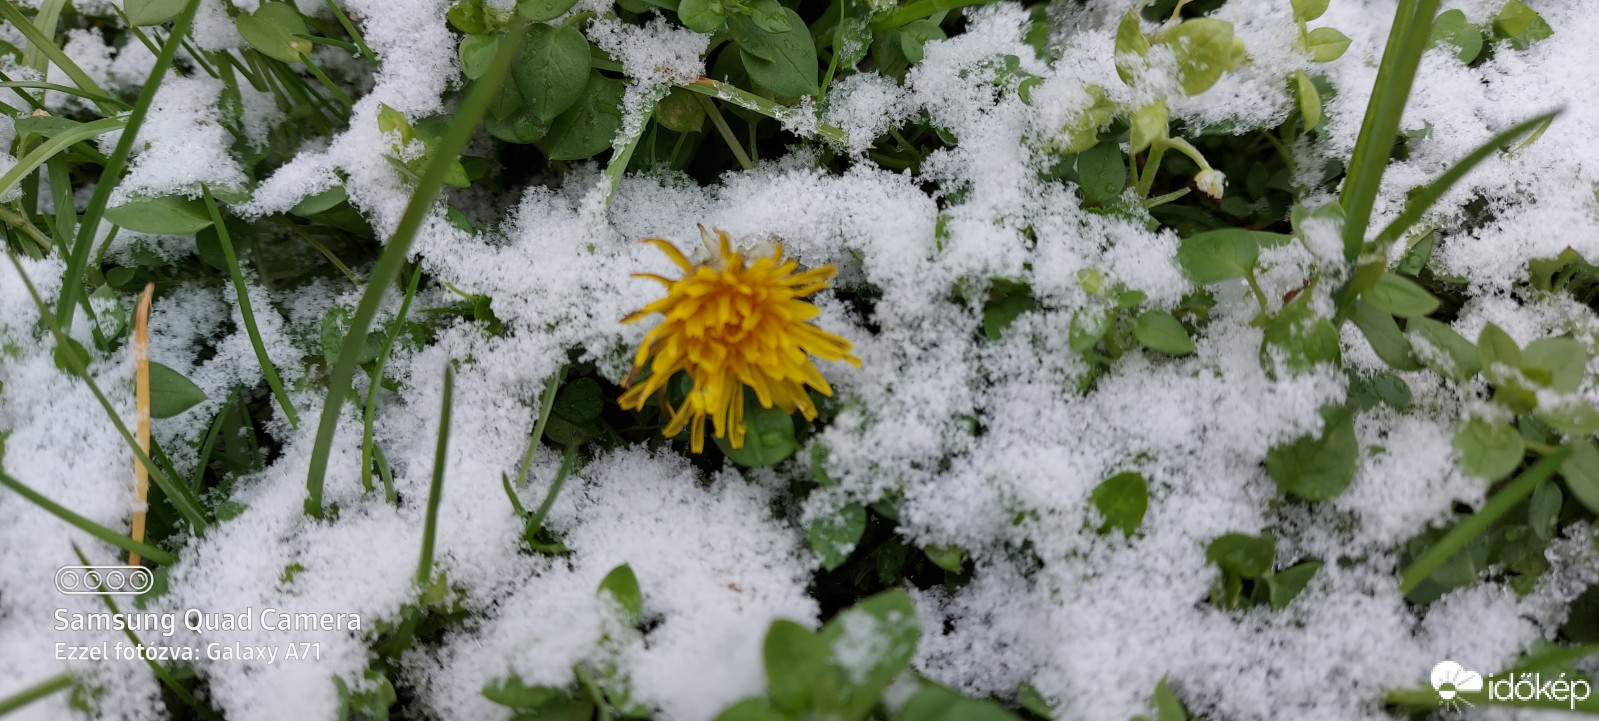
(1374, 146)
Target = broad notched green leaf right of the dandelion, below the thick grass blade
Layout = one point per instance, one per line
(1318, 468)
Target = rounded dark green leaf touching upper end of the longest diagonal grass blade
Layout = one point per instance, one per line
(552, 73)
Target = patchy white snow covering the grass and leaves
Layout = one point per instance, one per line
(981, 445)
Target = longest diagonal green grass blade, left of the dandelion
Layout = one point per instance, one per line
(388, 268)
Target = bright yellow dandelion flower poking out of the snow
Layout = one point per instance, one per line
(733, 325)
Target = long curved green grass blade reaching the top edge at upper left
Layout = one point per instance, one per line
(73, 282)
